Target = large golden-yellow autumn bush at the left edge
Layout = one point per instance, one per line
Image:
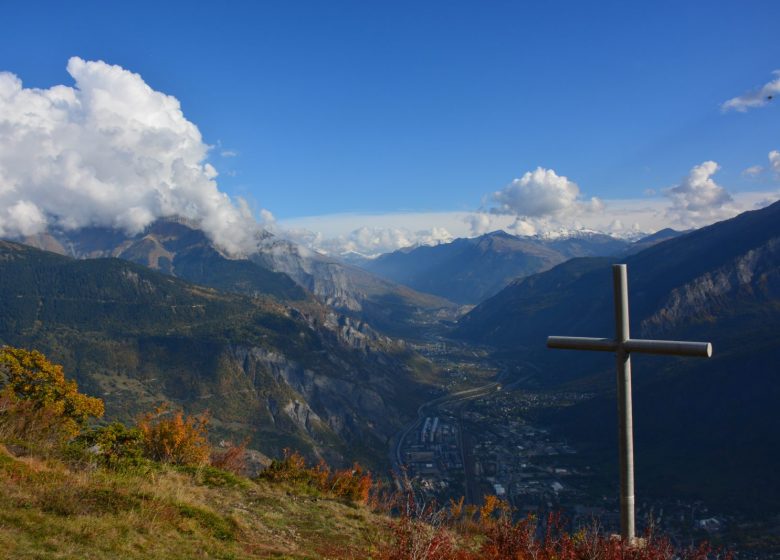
(37, 403)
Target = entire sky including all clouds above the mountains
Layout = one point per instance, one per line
(369, 126)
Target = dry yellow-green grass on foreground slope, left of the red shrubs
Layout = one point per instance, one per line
(48, 510)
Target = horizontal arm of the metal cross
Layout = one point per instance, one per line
(669, 347)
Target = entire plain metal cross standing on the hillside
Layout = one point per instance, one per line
(623, 345)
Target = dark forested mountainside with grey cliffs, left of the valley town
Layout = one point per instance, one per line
(300, 376)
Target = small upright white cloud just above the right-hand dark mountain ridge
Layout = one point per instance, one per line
(698, 198)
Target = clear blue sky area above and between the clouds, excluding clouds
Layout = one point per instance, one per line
(386, 107)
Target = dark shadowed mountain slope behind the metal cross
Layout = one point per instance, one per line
(703, 427)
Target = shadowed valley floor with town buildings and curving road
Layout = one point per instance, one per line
(486, 437)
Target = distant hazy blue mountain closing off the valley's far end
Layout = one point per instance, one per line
(468, 271)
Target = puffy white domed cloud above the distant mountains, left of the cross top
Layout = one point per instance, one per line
(542, 193)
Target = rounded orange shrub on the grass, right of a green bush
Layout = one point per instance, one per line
(171, 437)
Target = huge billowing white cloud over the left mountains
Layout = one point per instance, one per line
(109, 151)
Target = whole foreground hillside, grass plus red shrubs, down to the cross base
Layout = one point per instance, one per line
(49, 510)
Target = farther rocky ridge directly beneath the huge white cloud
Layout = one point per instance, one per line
(278, 268)
